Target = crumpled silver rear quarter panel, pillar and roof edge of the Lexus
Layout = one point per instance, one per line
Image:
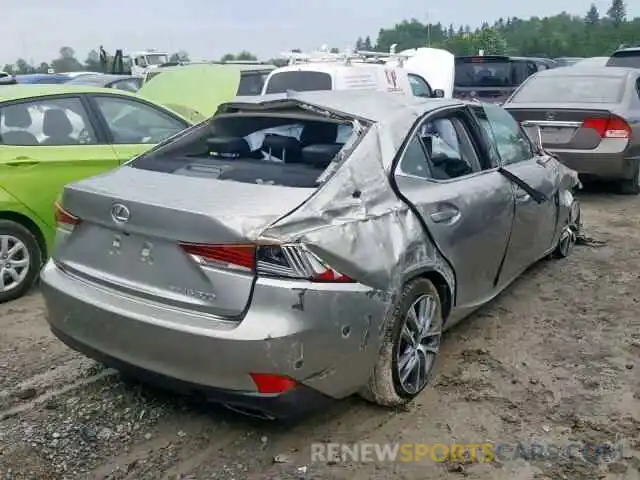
(356, 221)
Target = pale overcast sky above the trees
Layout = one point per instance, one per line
(207, 29)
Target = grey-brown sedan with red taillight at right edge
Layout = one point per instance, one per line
(589, 117)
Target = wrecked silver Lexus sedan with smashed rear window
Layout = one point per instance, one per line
(300, 248)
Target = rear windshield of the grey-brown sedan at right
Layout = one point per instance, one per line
(578, 89)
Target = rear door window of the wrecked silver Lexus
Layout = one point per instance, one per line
(441, 150)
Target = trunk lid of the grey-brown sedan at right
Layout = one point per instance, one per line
(562, 126)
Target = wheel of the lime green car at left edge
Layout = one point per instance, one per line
(20, 260)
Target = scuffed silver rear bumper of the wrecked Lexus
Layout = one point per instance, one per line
(318, 336)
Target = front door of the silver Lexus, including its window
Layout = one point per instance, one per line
(536, 220)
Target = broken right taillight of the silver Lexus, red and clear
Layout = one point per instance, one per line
(283, 261)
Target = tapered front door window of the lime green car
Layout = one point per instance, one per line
(133, 122)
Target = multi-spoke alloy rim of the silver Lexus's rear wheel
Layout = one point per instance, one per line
(419, 344)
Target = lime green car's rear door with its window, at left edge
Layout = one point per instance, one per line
(47, 143)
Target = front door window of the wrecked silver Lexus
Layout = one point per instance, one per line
(510, 141)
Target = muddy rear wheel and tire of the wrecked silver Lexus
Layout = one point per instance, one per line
(410, 346)
